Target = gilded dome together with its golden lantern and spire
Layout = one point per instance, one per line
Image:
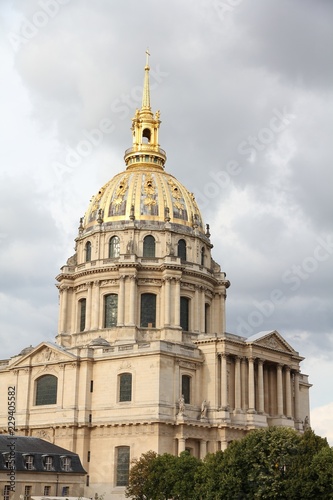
(144, 191)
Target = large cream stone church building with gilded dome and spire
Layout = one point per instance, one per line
(142, 360)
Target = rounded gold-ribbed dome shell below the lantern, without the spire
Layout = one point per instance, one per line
(144, 193)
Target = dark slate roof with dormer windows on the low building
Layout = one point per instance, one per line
(38, 448)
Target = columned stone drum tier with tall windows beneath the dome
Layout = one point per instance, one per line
(204, 313)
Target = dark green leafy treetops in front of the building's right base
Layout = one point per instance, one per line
(273, 463)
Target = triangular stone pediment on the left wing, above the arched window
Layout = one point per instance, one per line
(44, 353)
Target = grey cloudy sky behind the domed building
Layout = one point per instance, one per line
(245, 93)
